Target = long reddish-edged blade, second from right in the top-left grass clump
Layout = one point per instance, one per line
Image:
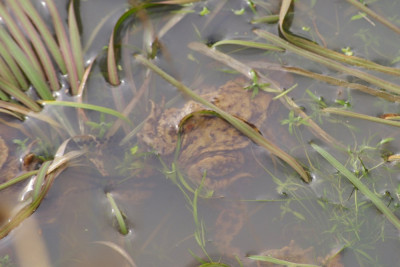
(64, 46)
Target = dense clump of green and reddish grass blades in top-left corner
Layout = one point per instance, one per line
(37, 55)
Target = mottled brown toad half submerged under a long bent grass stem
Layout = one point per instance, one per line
(208, 143)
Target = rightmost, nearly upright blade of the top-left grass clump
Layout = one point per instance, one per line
(75, 40)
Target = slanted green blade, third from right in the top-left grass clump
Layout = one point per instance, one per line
(47, 36)
